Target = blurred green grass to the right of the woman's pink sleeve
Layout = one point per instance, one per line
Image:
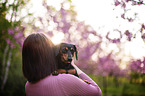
(119, 87)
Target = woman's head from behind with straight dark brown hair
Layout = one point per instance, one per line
(38, 59)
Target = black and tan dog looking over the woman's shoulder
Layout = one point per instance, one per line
(64, 53)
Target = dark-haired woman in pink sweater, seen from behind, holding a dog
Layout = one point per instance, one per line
(39, 64)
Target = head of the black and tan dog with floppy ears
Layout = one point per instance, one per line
(66, 52)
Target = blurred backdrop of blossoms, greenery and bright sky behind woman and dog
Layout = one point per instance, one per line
(109, 35)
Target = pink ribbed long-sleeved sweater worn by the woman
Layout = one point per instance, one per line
(63, 85)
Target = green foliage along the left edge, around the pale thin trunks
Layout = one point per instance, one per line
(15, 84)
